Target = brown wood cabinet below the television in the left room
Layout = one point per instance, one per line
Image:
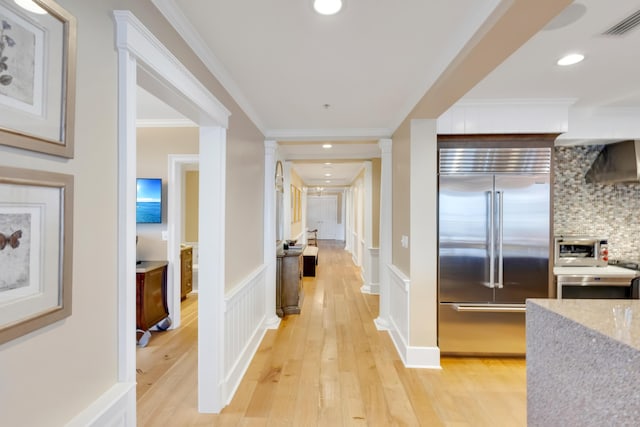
(151, 294)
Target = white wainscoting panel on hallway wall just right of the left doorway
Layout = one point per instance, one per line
(243, 328)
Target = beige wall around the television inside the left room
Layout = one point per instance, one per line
(153, 148)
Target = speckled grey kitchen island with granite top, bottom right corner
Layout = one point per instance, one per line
(583, 362)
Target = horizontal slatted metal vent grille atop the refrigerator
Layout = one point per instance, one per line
(495, 160)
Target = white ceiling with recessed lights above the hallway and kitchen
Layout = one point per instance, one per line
(354, 77)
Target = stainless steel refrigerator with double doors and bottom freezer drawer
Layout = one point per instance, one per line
(494, 245)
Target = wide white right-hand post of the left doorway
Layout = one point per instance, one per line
(211, 273)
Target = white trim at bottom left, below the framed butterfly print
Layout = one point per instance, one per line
(116, 407)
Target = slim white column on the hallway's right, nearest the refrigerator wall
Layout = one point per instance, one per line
(385, 240)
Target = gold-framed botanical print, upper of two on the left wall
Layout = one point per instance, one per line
(37, 77)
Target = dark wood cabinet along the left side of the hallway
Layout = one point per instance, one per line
(289, 282)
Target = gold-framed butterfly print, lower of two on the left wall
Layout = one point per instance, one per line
(36, 243)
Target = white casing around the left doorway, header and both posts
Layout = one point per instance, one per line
(142, 58)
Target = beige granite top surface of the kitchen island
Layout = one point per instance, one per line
(599, 316)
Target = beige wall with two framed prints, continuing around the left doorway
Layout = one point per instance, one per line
(51, 375)
